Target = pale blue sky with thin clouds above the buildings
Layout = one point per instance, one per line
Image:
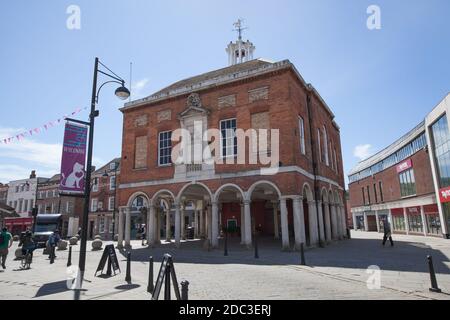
(379, 83)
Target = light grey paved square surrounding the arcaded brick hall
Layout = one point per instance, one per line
(337, 271)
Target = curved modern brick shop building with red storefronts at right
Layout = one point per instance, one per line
(396, 185)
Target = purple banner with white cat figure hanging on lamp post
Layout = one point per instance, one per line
(73, 159)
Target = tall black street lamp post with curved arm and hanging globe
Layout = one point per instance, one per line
(122, 93)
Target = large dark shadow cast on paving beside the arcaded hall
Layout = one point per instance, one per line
(349, 253)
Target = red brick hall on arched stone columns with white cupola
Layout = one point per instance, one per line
(301, 203)
